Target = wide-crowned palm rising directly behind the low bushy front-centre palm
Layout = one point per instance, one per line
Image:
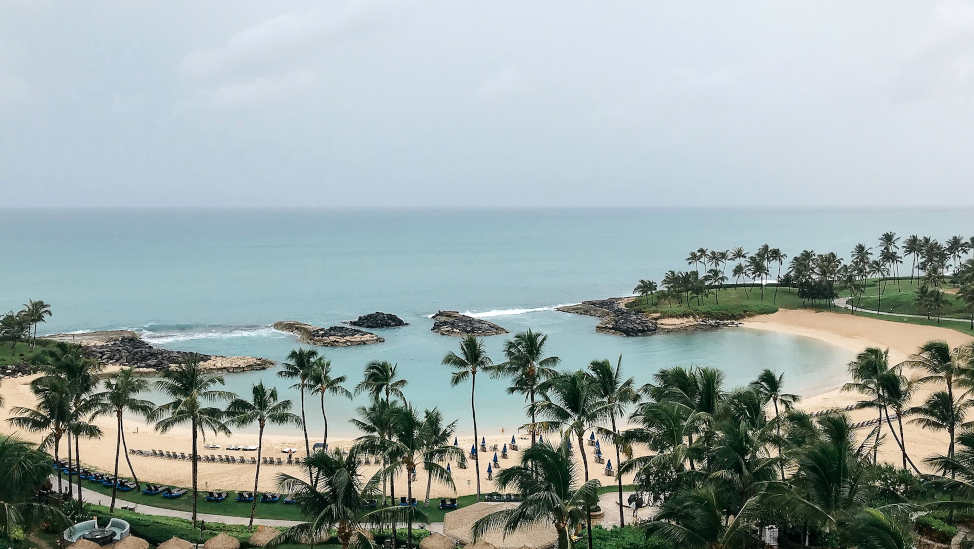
(572, 406)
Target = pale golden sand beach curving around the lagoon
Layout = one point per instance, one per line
(850, 332)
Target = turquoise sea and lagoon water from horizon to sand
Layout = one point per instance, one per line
(214, 280)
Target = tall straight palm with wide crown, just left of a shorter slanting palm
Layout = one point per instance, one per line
(191, 389)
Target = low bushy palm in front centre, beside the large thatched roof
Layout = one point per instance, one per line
(547, 480)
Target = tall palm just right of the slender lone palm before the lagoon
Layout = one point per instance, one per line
(527, 366)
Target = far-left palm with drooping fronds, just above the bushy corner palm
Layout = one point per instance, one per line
(52, 414)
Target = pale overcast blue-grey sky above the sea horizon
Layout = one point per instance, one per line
(374, 103)
